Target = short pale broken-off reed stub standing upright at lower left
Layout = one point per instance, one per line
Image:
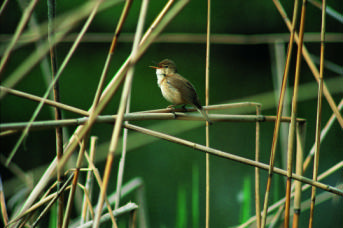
(89, 184)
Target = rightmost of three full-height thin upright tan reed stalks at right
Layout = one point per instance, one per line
(319, 114)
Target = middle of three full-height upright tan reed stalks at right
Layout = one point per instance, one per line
(291, 135)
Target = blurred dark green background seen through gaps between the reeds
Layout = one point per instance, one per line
(238, 73)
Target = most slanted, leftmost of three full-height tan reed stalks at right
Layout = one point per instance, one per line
(279, 112)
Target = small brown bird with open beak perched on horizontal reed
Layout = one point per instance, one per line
(175, 88)
